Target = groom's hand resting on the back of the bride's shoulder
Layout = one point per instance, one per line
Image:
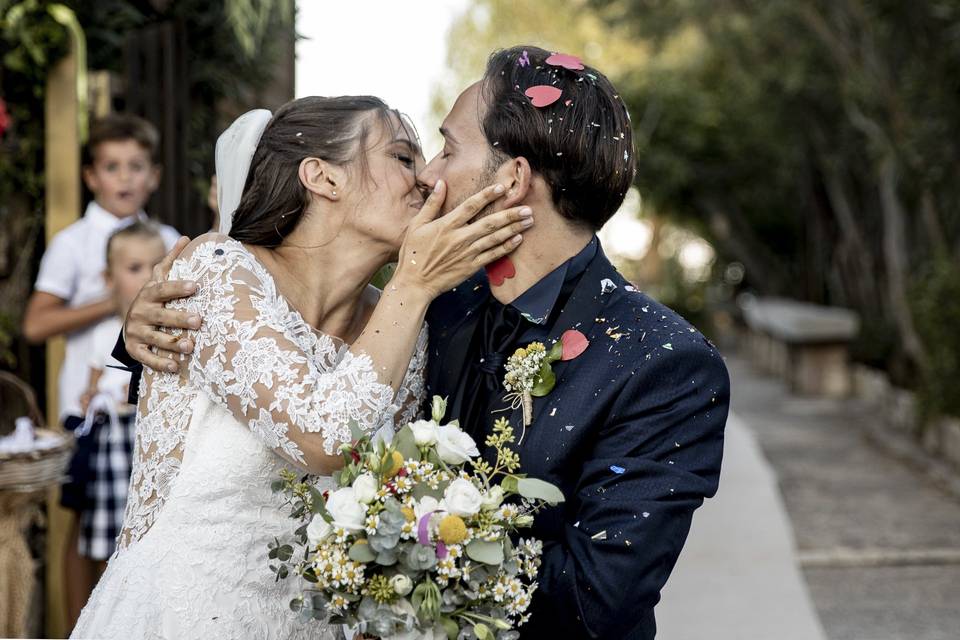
(142, 337)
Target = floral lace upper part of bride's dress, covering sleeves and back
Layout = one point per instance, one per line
(260, 360)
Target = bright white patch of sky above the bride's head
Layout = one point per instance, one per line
(370, 47)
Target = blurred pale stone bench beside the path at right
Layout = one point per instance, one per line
(805, 344)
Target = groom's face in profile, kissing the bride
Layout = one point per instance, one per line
(465, 161)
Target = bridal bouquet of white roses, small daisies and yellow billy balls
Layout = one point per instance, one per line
(416, 541)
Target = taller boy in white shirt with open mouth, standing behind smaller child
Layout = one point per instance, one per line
(70, 295)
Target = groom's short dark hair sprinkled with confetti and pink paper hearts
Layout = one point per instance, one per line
(581, 144)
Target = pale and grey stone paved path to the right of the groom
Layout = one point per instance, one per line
(876, 542)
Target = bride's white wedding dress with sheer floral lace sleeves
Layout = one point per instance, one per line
(192, 560)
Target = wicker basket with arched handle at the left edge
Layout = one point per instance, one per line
(30, 470)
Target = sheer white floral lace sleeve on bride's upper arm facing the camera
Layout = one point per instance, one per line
(260, 359)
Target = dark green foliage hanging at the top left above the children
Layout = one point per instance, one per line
(227, 69)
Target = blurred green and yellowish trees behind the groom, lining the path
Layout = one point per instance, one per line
(812, 143)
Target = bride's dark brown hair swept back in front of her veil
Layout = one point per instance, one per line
(332, 129)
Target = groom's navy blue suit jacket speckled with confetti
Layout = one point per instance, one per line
(633, 436)
